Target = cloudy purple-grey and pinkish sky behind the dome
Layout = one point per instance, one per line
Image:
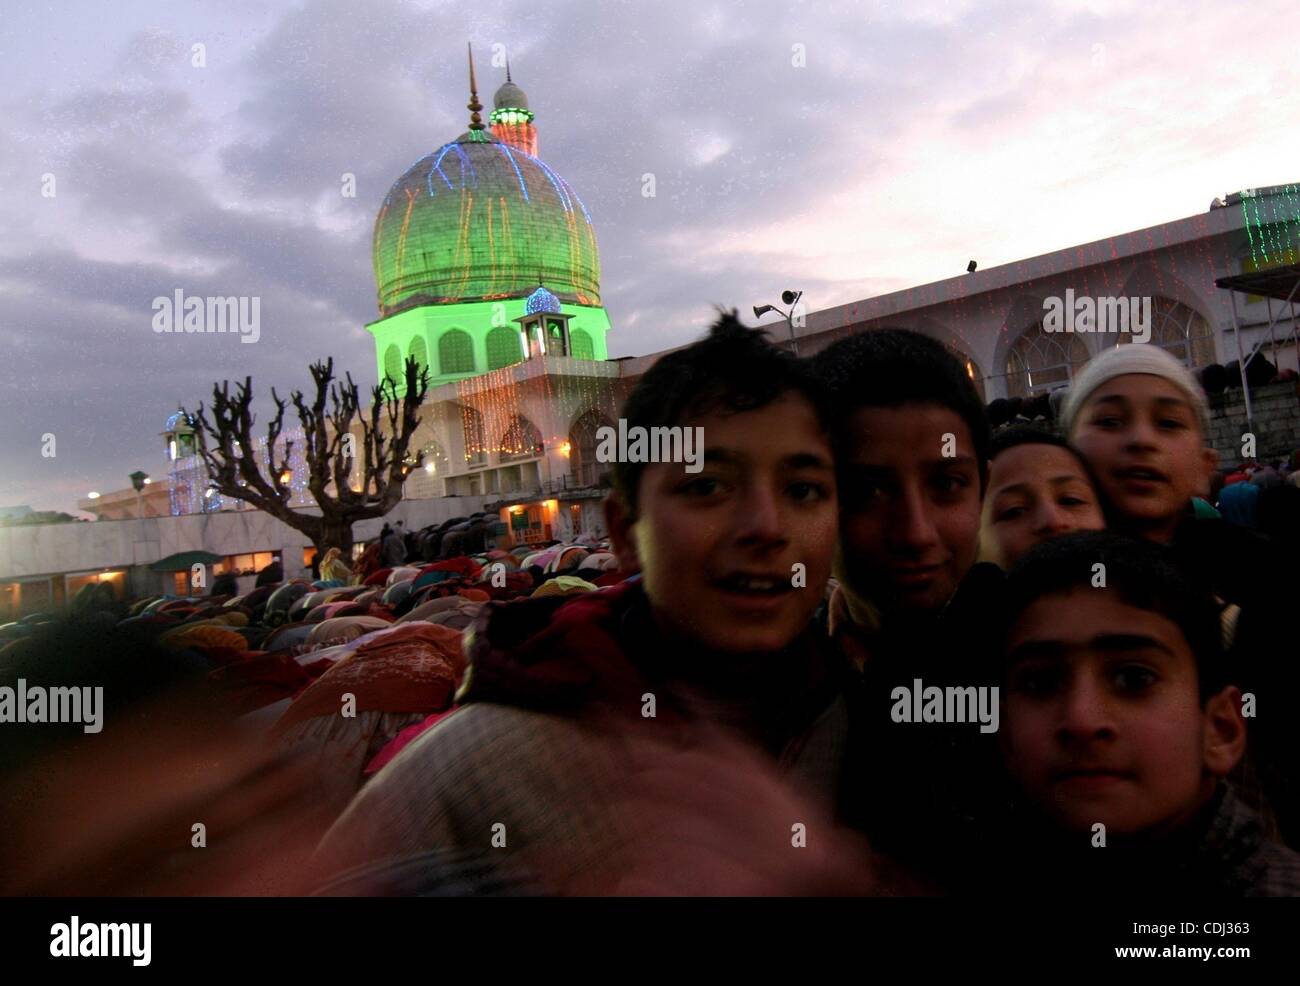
(916, 136)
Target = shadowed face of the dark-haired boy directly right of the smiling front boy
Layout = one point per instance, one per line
(911, 514)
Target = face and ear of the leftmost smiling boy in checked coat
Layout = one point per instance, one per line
(718, 550)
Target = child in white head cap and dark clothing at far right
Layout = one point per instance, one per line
(1141, 420)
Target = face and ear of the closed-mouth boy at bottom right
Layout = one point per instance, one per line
(1103, 720)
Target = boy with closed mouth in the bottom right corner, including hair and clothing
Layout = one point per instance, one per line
(1120, 728)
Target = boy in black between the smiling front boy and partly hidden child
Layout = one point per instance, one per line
(913, 609)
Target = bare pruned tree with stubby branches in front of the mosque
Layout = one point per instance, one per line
(228, 451)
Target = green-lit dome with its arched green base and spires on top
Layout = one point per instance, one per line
(476, 236)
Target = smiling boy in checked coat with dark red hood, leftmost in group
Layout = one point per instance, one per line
(734, 560)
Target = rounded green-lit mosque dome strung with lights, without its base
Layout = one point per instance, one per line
(479, 220)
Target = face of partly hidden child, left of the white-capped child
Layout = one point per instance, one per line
(1035, 492)
